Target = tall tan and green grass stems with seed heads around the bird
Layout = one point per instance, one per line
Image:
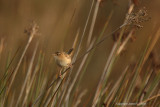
(39, 88)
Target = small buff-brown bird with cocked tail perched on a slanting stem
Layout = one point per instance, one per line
(63, 59)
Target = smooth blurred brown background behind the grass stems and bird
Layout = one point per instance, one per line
(59, 21)
